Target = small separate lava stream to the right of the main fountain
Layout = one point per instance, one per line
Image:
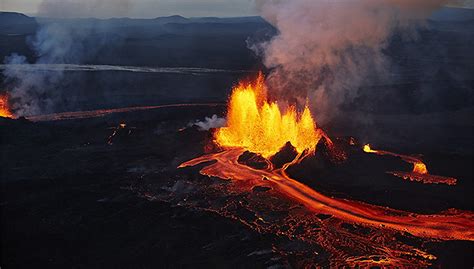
(419, 172)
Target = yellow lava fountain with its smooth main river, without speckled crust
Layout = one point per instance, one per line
(260, 127)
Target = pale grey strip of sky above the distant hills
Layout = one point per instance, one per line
(136, 8)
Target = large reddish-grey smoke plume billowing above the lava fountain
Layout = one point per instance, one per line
(325, 50)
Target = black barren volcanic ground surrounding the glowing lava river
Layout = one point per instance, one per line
(75, 193)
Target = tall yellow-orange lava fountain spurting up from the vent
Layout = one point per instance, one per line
(261, 127)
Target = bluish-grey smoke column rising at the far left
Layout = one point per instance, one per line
(35, 92)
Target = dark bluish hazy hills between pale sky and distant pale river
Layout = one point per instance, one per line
(164, 41)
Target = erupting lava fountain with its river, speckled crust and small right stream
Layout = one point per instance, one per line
(262, 195)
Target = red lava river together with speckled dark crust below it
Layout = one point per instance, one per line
(350, 233)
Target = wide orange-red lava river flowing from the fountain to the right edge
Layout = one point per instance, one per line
(448, 225)
